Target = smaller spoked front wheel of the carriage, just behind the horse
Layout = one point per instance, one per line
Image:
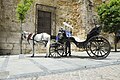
(56, 51)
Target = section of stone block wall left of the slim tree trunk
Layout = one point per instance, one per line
(9, 27)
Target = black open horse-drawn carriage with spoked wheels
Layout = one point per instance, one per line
(96, 46)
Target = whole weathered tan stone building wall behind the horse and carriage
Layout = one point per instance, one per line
(78, 13)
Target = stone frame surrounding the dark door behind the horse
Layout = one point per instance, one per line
(50, 9)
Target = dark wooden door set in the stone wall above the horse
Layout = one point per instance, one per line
(44, 22)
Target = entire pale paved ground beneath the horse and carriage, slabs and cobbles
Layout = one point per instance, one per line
(77, 67)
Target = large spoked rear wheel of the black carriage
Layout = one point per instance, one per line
(98, 47)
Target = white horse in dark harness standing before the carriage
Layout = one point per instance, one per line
(33, 38)
